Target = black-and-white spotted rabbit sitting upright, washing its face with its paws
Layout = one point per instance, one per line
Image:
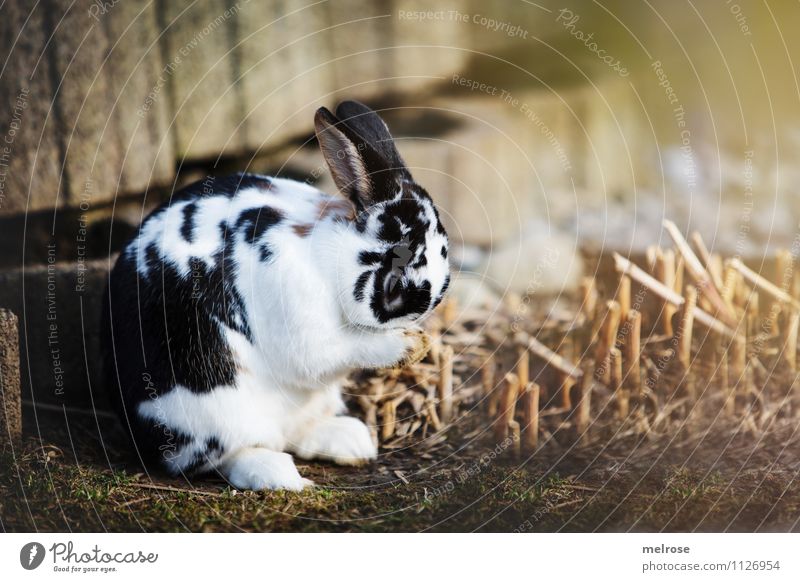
(240, 305)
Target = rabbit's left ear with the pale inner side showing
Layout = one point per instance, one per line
(360, 172)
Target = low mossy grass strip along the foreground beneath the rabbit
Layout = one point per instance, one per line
(42, 489)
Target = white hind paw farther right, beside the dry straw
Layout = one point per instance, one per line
(342, 439)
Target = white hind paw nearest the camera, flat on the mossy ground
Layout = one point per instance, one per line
(258, 469)
